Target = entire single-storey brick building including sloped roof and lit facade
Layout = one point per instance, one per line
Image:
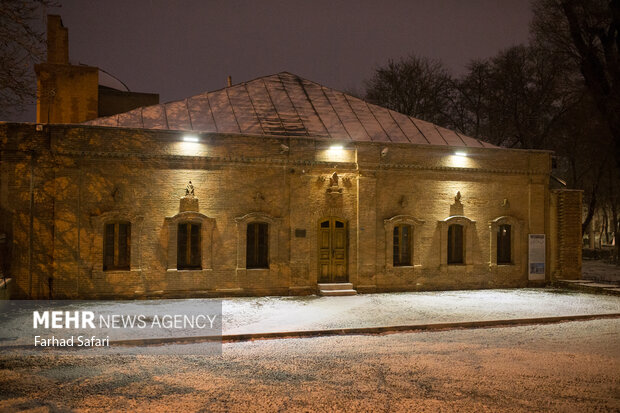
(292, 184)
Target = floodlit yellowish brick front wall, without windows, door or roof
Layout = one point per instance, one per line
(85, 176)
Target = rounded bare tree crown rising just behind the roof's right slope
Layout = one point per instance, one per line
(415, 86)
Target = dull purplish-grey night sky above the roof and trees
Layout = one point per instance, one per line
(182, 48)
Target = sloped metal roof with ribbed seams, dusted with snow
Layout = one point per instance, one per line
(287, 105)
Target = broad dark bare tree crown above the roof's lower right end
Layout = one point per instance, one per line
(515, 99)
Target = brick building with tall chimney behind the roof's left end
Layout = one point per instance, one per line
(68, 93)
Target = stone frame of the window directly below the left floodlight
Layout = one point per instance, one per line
(206, 228)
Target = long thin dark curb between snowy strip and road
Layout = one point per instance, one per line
(234, 338)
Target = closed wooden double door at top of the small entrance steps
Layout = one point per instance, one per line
(332, 244)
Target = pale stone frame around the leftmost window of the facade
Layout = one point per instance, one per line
(99, 223)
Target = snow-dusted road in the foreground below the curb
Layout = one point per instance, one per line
(572, 366)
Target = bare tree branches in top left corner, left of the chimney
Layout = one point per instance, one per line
(21, 45)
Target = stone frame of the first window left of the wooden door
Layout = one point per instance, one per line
(273, 231)
